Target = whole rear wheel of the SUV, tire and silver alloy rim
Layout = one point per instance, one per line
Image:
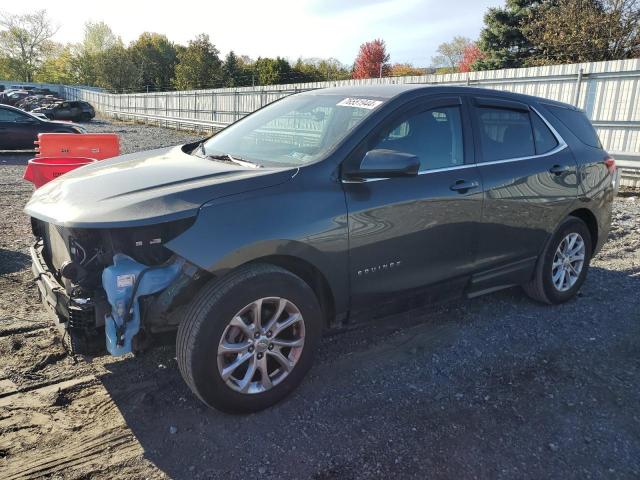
(562, 266)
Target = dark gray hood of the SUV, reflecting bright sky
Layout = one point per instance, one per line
(144, 188)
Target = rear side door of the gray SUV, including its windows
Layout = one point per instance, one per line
(529, 178)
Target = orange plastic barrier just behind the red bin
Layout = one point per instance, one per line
(89, 145)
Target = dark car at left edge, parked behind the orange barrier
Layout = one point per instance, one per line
(18, 129)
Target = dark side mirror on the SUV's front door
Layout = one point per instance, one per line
(387, 163)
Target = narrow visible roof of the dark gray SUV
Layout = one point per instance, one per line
(389, 91)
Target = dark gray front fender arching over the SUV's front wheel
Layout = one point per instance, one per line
(293, 220)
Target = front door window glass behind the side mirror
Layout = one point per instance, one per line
(434, 136)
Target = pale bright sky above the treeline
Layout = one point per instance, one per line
(412, 29)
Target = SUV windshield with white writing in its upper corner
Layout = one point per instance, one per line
(293, 131)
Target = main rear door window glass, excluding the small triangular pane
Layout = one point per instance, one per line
(505, 134)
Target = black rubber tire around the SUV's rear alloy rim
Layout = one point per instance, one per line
(542, 287)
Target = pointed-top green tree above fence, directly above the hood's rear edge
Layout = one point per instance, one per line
(199, 65)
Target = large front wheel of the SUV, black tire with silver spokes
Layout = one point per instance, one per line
(207, 322)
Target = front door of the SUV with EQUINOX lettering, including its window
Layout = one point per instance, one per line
(410, 232)
